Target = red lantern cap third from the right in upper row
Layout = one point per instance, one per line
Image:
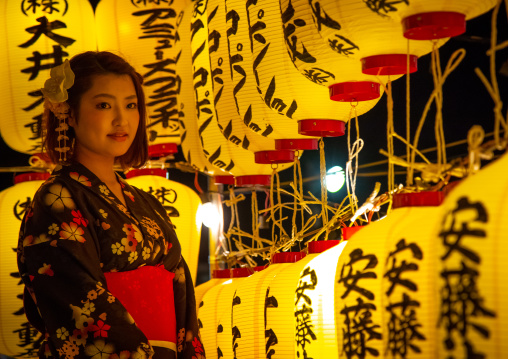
(354, 91)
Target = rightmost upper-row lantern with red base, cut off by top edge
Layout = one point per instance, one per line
(428, 20)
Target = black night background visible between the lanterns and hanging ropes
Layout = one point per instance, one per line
(466, 103)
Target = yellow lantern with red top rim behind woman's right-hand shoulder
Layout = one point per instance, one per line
(181, 204)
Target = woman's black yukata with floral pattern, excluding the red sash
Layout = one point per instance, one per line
(75, 230)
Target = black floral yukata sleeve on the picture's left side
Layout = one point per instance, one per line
(59, 262)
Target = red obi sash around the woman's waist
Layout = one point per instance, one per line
(147, 294)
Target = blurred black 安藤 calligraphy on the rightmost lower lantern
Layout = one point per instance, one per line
(462, 303)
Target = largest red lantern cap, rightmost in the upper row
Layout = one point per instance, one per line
(434, 25)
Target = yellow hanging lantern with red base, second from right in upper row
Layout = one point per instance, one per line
(352, 29)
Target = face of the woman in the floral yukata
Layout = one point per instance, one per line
(107, 120)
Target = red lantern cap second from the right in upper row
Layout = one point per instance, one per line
(390, 64)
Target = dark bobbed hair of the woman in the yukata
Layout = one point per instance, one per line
(86, 66)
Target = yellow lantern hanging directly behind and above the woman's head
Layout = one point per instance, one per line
(147, 34)
